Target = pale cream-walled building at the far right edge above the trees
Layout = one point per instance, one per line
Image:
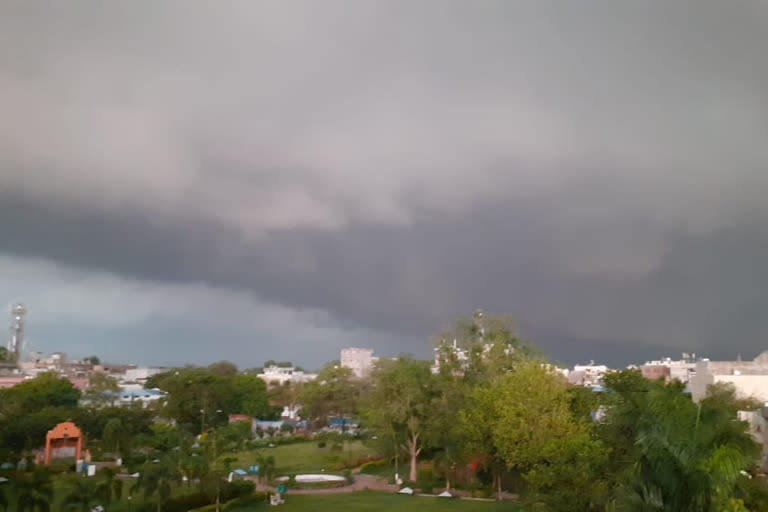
(750, 378)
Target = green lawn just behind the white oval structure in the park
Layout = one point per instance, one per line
(307, 457)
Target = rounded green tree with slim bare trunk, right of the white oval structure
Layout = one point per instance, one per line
(399, 403)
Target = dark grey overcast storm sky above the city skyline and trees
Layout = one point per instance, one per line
(193, 181)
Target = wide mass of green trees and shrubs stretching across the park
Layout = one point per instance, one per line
(492, 416)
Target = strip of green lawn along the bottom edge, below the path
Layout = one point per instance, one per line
(380, 502)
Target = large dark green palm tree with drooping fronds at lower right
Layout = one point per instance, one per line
(672, 454)
